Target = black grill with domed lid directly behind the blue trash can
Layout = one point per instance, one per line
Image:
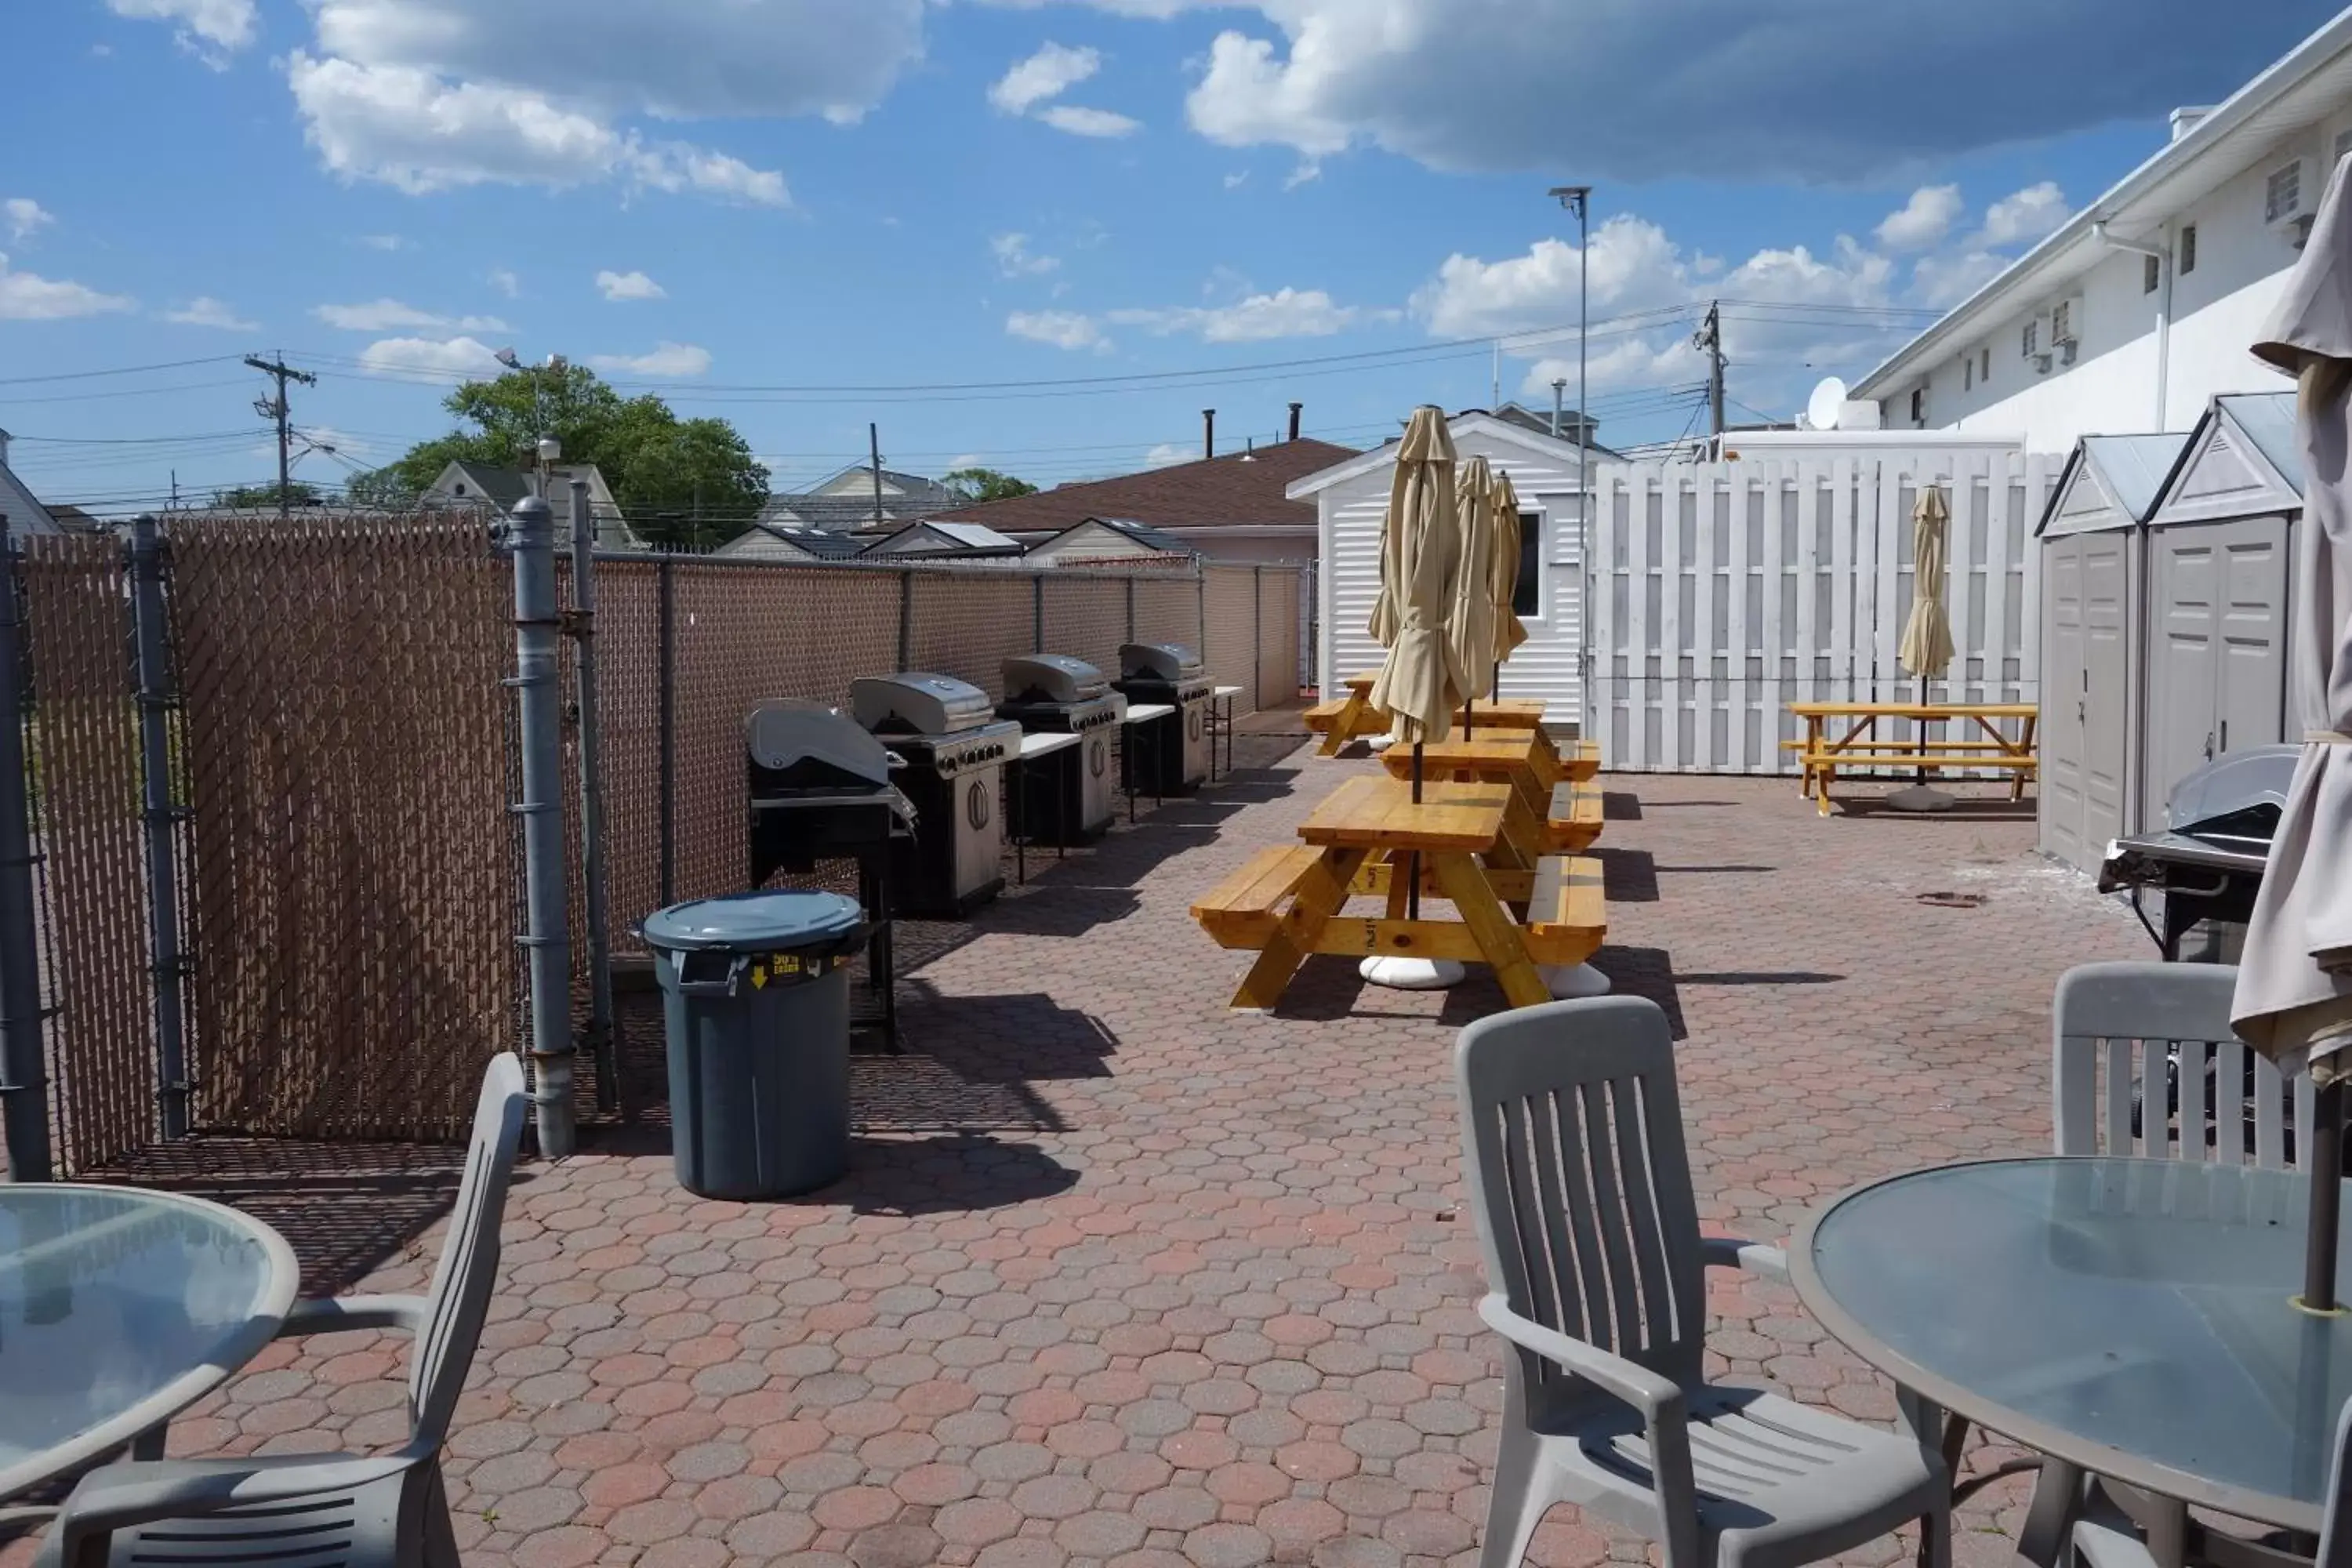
(822, 791)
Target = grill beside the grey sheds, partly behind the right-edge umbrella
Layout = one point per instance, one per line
(2212, 852)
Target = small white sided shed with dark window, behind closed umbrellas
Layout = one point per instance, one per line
(1351, 502)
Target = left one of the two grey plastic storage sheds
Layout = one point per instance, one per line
(2092, 626)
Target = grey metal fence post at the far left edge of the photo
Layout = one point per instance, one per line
(25, 1083)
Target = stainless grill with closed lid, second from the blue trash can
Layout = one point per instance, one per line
(954, 751)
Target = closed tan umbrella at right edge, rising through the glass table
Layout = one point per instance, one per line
(2294, 979)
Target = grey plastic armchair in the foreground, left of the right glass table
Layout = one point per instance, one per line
(1572, 1144)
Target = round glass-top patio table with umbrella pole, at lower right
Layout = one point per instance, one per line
(2125, 1318)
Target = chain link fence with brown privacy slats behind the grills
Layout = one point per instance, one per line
(345, 763)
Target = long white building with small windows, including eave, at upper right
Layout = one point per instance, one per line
(2144, 304)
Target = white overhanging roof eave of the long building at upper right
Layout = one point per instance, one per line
(2299, 91)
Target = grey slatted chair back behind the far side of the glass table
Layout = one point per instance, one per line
(2163, 1033)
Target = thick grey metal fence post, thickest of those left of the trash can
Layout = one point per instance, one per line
(544, 939)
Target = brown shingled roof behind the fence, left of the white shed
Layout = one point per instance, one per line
(1236, 490)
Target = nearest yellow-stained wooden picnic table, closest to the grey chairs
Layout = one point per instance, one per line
(1288, 904)
